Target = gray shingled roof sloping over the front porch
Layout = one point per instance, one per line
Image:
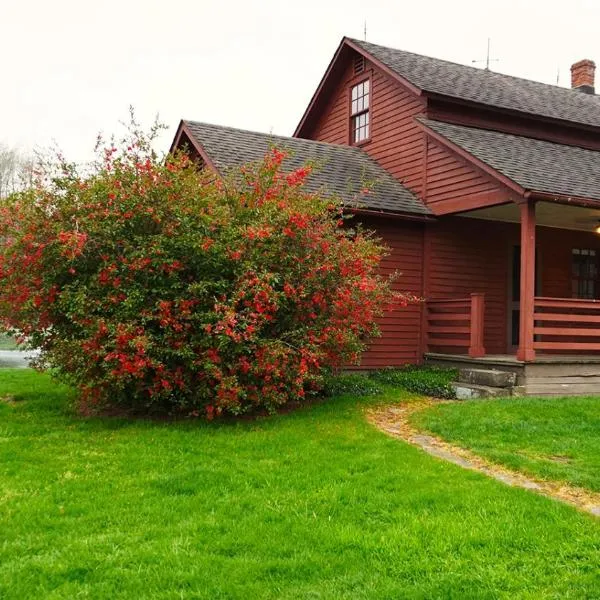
(534, 164)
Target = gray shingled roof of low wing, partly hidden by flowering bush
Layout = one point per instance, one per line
(341, 170)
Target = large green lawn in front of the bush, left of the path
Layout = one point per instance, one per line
(317, 504)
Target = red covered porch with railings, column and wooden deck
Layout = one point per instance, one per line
(551, 342)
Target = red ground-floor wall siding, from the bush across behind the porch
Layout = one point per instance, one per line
(454, 258)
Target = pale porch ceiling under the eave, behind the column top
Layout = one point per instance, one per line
(548, 214)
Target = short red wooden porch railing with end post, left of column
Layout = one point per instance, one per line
(455, 326)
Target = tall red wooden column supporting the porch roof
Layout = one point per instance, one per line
(526, 351)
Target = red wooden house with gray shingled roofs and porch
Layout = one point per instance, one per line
(487, 191)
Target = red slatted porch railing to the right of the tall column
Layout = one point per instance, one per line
(566, 324)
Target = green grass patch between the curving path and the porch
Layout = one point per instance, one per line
(556, 439)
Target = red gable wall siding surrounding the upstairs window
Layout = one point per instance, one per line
(396, 142)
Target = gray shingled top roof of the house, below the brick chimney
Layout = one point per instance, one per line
(486, 87)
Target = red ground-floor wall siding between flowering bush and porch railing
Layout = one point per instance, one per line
(401, 328)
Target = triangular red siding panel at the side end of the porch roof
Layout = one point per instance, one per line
(451, 182)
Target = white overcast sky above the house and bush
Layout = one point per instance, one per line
(71, 68)
